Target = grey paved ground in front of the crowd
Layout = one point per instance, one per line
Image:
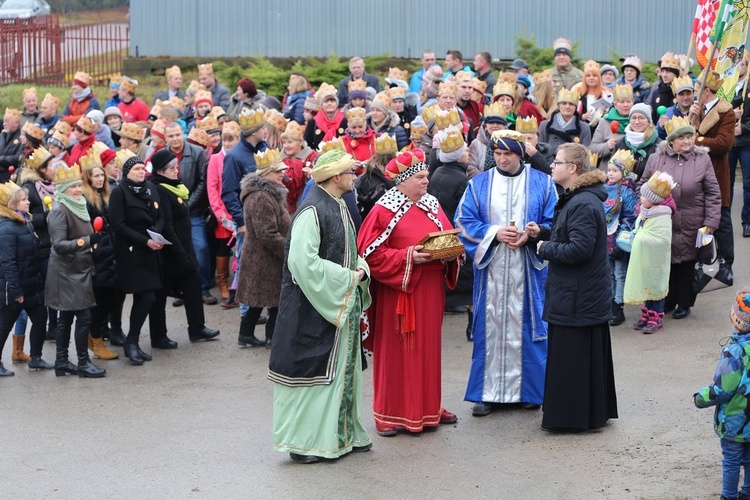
(195, 423)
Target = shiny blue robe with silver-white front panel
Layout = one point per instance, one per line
(510, 339)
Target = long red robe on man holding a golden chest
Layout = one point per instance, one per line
(406, 365)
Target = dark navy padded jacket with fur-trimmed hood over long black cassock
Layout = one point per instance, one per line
(578, 288)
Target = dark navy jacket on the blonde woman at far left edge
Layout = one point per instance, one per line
(19, 263)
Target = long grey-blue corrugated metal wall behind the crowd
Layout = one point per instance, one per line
(403, 28)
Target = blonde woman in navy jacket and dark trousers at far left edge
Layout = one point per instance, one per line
(21, 283)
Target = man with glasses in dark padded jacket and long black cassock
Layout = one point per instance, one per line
(579, 389)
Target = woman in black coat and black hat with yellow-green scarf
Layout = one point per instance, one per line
(179, 264)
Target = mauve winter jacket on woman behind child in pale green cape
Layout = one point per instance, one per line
(697, 195)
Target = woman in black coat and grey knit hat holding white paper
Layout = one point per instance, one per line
(134, 208)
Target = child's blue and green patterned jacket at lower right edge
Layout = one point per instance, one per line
(729, 390)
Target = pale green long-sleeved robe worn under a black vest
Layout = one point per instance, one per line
(325, 420)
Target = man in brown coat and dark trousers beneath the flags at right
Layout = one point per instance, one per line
(715, 130)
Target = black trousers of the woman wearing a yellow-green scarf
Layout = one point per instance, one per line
(190, 284)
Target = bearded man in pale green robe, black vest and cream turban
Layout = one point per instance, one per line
(316, 360)
